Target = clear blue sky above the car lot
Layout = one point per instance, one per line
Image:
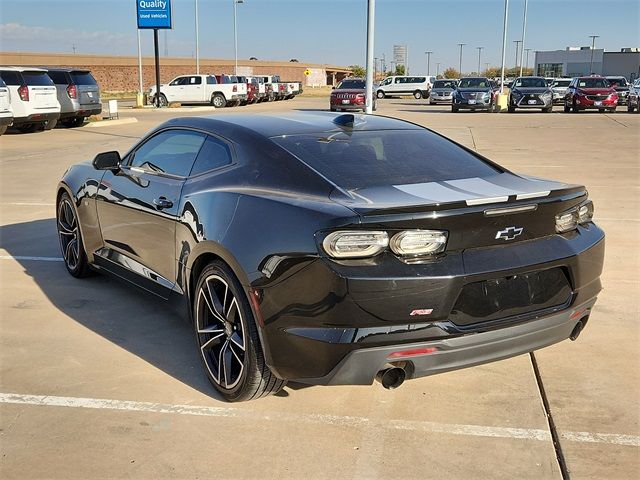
(323, 31)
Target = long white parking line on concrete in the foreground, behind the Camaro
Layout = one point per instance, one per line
(323, 419)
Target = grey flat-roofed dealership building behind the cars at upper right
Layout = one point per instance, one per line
(576, 61)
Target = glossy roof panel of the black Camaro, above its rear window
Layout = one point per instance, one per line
(297, 123)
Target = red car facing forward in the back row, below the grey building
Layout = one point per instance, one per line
(590, 93)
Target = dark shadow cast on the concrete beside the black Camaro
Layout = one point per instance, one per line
(121, 313)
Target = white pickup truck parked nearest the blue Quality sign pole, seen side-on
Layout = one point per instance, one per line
(199, 89)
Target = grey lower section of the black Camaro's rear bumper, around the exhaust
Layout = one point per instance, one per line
(360, 366)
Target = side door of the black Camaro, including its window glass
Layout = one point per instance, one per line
(138, 209)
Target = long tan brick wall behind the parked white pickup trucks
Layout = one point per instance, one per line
(115, 73)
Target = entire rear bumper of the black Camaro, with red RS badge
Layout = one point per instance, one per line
(335, 324)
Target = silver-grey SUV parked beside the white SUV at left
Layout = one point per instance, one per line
(78, 94)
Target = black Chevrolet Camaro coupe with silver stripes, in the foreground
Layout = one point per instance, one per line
(335, 249)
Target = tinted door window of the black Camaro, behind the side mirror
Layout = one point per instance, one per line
(171, 151)
